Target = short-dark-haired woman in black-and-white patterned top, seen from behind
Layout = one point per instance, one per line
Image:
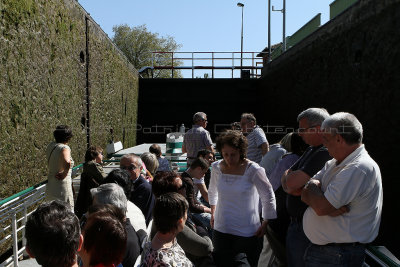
(169, 215)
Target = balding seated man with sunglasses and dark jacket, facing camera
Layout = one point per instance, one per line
(141, 194)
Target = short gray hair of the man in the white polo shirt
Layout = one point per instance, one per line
(346, 125)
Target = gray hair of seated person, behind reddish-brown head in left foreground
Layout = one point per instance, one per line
(110, 194)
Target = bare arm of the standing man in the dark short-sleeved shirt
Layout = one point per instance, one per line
(293, 181)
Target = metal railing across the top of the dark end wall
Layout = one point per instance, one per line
(230, 61)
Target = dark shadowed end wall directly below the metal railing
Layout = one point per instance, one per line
(164, 104)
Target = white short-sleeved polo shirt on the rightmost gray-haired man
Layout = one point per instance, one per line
(355, 182)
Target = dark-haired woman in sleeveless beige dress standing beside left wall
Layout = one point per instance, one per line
(58, 154)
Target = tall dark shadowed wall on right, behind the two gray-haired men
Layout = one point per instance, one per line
(351, 64)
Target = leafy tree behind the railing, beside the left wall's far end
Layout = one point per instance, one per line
(138, 43)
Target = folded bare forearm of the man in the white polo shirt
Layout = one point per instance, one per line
(313, 196)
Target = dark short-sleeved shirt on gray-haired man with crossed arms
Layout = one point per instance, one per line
(312, 160)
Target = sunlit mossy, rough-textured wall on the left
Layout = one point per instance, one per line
(43, 57)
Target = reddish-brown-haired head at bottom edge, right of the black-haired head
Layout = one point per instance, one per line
(104, 238)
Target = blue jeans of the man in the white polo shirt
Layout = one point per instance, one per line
(335, 255)
